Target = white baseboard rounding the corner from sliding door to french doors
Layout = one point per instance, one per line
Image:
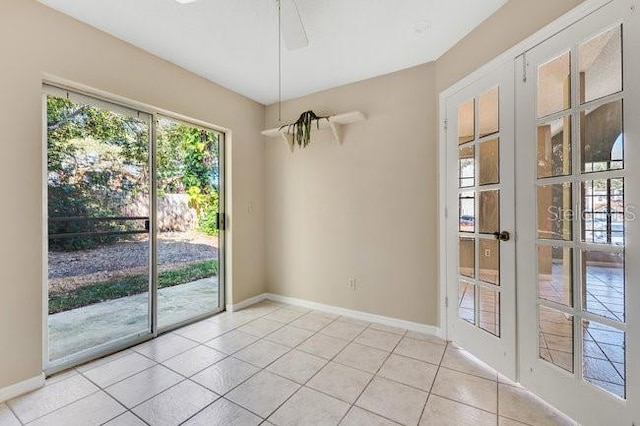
(364, 316)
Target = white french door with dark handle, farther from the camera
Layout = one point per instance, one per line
(480, 220)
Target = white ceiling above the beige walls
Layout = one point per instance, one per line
(234, 42)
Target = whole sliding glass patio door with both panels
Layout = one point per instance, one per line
(133, 242)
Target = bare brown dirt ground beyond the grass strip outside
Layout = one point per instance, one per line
(72, 269)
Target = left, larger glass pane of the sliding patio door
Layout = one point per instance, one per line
(98, 225)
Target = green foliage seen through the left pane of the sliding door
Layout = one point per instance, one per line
(97, 161)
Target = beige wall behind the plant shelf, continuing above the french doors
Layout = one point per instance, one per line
(368, 209)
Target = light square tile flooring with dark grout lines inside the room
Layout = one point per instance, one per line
(273, 364)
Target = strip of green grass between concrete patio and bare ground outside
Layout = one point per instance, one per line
(120, 287)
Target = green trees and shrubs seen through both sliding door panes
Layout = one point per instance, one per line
(98, 162)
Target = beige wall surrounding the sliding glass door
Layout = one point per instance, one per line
(35, 40)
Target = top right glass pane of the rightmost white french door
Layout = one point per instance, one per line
(601, 65)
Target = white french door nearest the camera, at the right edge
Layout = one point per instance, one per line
(578, 185)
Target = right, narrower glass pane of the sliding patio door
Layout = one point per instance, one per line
(187, 208)
